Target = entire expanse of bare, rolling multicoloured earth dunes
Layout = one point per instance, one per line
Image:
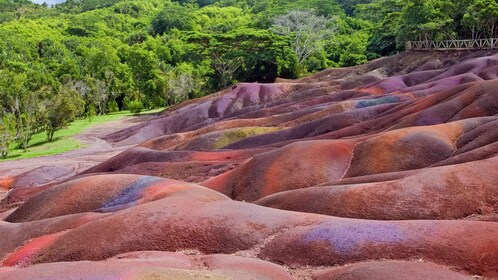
(387, 170)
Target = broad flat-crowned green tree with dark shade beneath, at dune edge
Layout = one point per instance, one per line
(249, 55)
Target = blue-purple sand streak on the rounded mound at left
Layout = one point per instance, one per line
(129, 196)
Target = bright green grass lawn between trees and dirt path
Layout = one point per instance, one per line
(64, 140)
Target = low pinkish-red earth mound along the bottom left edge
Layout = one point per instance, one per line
(154, 265)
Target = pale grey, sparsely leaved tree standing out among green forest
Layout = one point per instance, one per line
(306, 30)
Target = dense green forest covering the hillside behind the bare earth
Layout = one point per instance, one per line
(87, 57)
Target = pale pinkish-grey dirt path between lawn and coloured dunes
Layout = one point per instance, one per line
(68, 164)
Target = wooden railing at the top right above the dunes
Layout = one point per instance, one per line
(452, 45)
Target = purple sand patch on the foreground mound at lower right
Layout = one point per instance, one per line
(346, 237)
